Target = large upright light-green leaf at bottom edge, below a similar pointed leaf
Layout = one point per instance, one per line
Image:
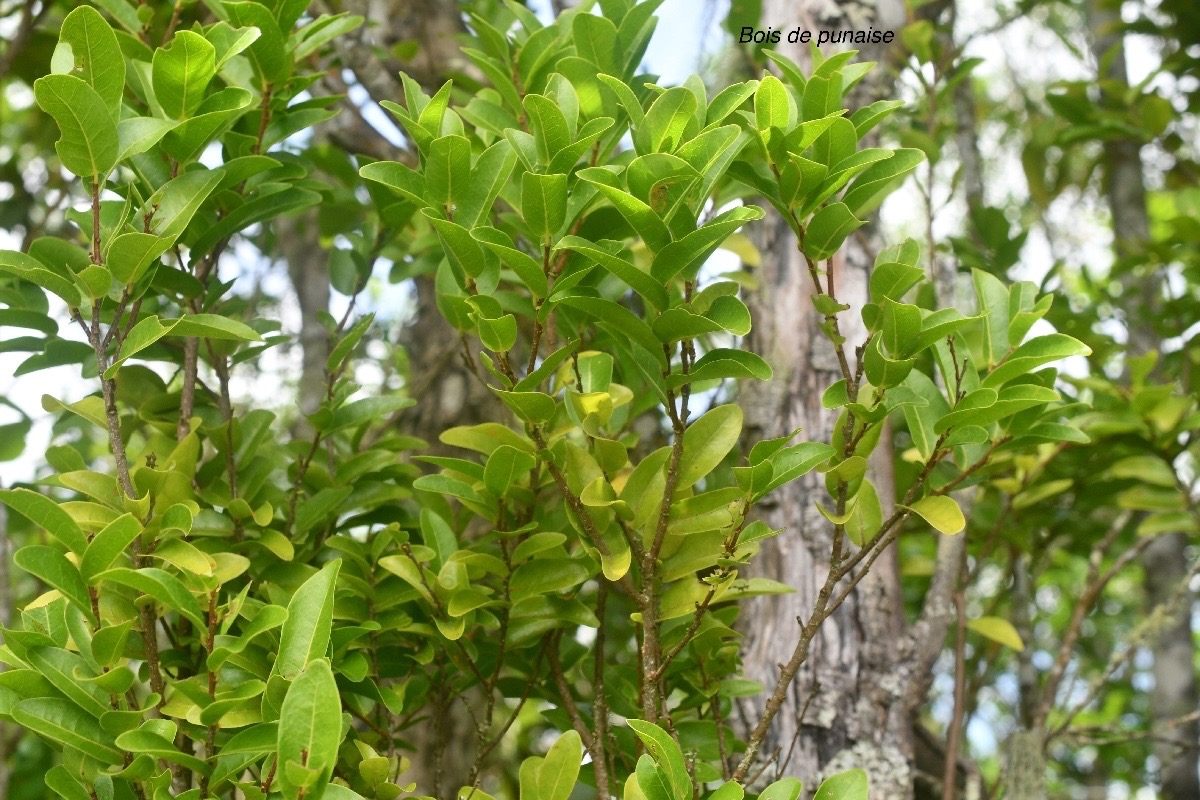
(310, 730)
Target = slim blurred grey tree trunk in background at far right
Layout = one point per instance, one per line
(1166, 560)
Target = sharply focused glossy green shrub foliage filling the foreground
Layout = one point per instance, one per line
(231, 607)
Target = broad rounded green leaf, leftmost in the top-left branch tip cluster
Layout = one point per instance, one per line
(89, 145)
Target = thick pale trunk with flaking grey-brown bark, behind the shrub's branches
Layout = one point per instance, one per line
(845, 708)
